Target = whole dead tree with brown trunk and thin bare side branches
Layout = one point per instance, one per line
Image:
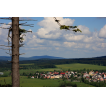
(15, 38)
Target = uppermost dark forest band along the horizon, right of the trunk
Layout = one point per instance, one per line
(94, 61)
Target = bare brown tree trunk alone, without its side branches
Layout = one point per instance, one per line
(15, 52)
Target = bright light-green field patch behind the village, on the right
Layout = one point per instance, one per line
(80, 66)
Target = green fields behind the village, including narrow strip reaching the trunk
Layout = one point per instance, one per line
(62, 67)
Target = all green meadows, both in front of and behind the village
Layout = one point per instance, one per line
(25, 82)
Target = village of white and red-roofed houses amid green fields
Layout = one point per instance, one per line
(91, 76)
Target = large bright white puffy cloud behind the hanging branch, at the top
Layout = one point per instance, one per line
(50, 29)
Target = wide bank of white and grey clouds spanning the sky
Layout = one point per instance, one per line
(50, 38)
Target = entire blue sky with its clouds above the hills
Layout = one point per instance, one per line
(48, 39)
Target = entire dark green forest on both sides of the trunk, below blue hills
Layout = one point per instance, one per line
(5, 65)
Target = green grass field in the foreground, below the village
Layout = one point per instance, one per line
(25, 82)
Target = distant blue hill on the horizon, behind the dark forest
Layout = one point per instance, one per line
(45, 57)
